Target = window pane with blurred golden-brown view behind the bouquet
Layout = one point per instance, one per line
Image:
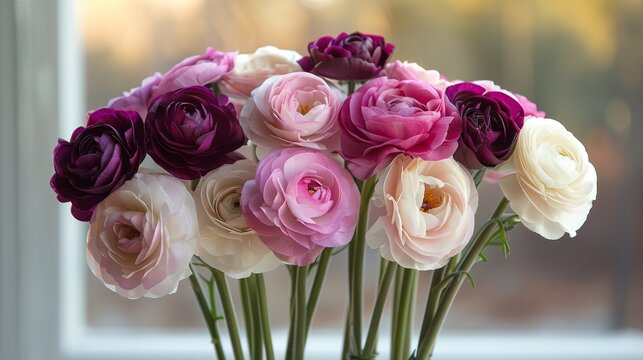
(580, 61)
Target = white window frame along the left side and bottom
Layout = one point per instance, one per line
(42, 249)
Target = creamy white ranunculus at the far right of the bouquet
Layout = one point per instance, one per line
(551, 184)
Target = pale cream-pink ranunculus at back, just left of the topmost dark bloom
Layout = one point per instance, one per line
(251, 70)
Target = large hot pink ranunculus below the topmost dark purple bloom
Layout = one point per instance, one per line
(386, 117)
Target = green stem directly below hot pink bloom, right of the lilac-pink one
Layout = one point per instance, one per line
(358, 261)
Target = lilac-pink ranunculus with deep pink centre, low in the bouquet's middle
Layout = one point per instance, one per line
(300, 202)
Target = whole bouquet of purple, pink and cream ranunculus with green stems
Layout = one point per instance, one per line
(275, 159)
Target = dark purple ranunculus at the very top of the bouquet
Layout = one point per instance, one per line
(348, 57)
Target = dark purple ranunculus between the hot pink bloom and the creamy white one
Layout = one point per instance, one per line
(491, 121)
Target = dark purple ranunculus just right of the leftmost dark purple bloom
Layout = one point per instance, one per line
(191, 131)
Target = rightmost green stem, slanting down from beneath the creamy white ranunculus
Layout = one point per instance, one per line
(427, 346)
